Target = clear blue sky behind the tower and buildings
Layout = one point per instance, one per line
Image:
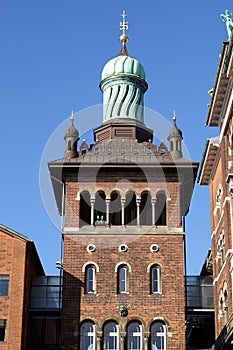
(52, 54)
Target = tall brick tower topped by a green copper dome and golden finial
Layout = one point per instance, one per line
(123, 200)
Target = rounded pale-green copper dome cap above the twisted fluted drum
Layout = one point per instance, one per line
(123, 65)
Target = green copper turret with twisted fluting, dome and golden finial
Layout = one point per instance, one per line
(123, 84)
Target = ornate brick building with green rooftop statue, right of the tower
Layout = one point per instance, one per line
(217, 172)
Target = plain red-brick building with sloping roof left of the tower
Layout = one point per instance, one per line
(19, 264)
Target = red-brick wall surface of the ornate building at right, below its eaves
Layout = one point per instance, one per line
(221, 223)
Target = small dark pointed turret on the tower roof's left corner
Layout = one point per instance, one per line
(71, 138)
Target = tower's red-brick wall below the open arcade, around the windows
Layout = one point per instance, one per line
(102, 306)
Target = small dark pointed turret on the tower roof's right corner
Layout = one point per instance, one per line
(175, 139)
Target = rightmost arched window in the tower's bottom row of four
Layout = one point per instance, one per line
(158, 336)
